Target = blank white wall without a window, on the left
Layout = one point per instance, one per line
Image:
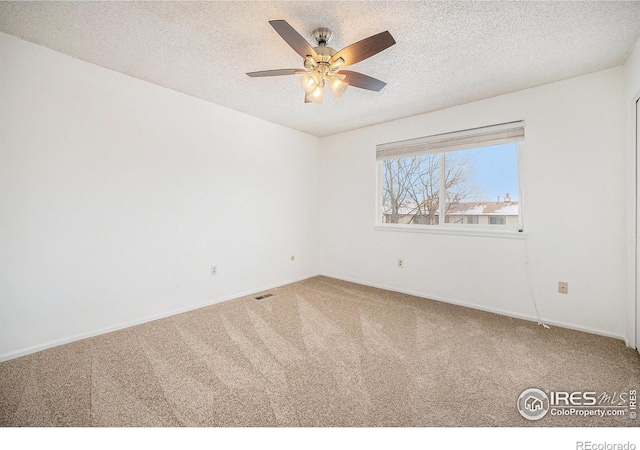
(117, 196)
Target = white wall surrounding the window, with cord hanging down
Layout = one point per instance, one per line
(575, 217)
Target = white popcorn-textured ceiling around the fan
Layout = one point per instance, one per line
(447, 53)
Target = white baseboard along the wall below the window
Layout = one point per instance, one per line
(555, 323)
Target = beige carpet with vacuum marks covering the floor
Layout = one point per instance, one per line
(320, 352)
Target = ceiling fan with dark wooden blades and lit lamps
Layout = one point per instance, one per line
(323, 65)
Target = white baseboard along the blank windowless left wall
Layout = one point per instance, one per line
(80, 336)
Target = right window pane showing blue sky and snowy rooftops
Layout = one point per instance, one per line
(481, 185)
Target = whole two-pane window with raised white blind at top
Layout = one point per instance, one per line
(469, 178)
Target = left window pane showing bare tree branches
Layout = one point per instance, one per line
(411, 190)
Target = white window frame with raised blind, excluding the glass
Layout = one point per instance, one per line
(510, 132)
